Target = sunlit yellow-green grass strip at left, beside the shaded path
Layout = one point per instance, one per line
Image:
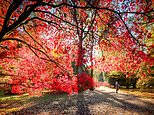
(10, 103)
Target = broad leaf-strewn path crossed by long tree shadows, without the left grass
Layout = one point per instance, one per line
(102, 101)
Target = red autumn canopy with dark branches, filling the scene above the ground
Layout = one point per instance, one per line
(47, 43)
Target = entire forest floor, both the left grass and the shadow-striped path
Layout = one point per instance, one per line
(101, 101)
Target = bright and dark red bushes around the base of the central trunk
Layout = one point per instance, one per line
(72, 85)
